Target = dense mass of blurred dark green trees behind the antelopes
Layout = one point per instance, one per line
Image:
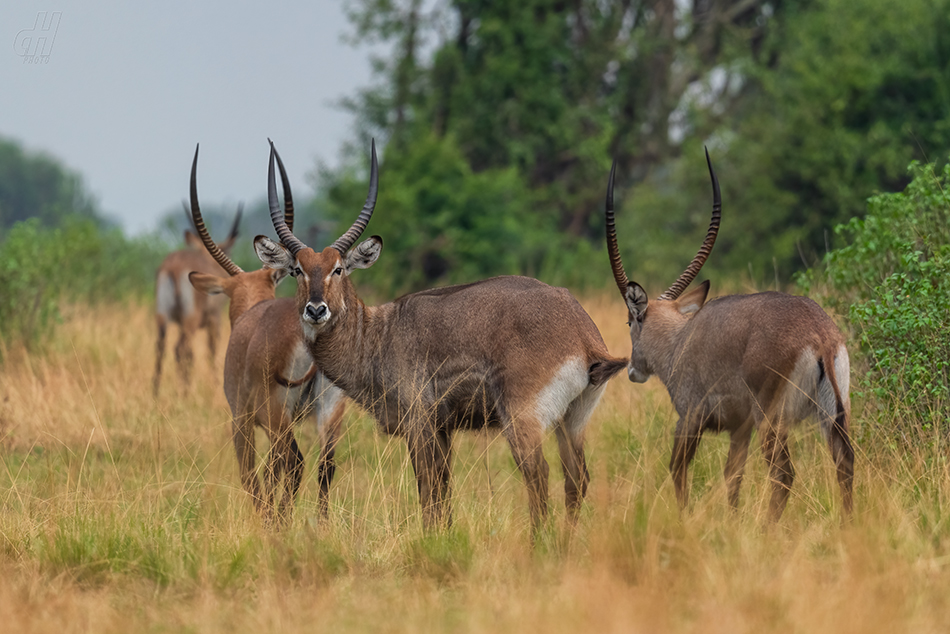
(807, 108)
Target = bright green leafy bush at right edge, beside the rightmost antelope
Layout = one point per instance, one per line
(894, 281)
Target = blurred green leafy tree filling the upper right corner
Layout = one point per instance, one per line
(845, 95)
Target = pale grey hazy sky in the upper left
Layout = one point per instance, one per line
(130, 87)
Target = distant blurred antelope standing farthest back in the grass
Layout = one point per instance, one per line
(177, 302)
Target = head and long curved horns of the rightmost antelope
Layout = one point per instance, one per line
(655, 324)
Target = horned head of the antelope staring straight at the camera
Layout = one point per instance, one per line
(324, 290)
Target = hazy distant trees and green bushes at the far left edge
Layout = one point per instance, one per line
(56, 245)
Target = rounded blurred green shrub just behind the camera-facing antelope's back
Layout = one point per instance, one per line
(440, 221)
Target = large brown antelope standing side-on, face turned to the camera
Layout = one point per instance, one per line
(507, 352)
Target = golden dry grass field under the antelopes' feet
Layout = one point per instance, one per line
(123, 513)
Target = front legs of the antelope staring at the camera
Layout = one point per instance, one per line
(430, 453)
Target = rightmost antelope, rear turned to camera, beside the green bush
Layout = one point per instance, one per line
(737, 363)
